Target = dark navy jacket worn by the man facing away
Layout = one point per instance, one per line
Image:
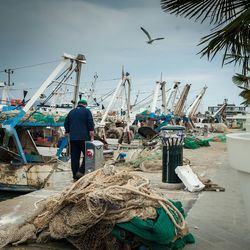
(78, 123)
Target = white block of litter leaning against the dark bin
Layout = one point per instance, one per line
(189, 178)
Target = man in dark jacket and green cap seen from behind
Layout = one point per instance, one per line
(79, 125)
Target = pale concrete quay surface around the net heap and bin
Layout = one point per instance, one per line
(216, 219)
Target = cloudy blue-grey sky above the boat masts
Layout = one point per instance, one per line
(108, 33)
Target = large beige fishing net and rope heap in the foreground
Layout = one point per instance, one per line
(86, 212)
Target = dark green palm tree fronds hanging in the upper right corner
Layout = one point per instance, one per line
(230, 33)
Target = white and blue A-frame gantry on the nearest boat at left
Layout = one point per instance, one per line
(13, 134)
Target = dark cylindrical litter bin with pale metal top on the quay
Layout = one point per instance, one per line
(172, 152)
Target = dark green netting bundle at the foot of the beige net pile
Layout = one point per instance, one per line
(157, 234)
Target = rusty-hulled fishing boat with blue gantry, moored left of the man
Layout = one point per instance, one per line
(29, 160)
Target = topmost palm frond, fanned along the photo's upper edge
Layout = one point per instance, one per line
(216, 11)
